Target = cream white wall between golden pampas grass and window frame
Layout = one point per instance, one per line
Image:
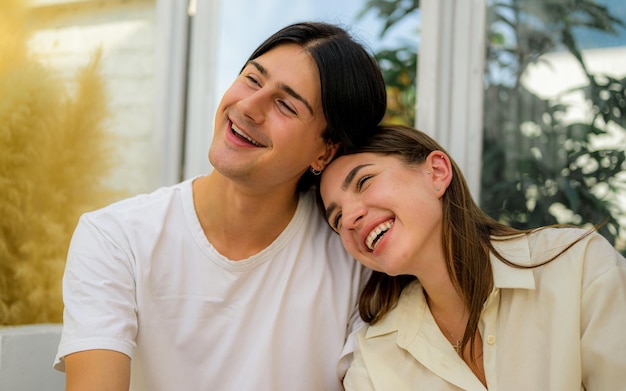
(66, 35)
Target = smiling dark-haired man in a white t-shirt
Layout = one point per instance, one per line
(232, 281)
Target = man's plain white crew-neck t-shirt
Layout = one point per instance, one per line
(142, 279)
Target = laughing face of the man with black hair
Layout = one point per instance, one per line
(269, 124)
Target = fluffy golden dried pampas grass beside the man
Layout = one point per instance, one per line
(54, 153)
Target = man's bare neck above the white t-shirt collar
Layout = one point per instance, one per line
(239, 222)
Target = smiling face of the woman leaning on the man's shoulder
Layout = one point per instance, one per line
(387, 212)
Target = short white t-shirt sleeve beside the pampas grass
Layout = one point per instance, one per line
(98, 290)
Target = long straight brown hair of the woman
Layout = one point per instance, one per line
(467, 234)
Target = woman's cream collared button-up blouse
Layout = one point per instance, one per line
(557, 327)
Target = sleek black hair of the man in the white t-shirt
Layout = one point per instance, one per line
(353, 92)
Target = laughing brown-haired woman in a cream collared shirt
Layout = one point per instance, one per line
(459, 301)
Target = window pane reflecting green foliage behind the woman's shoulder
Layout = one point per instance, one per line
(554, 124)
